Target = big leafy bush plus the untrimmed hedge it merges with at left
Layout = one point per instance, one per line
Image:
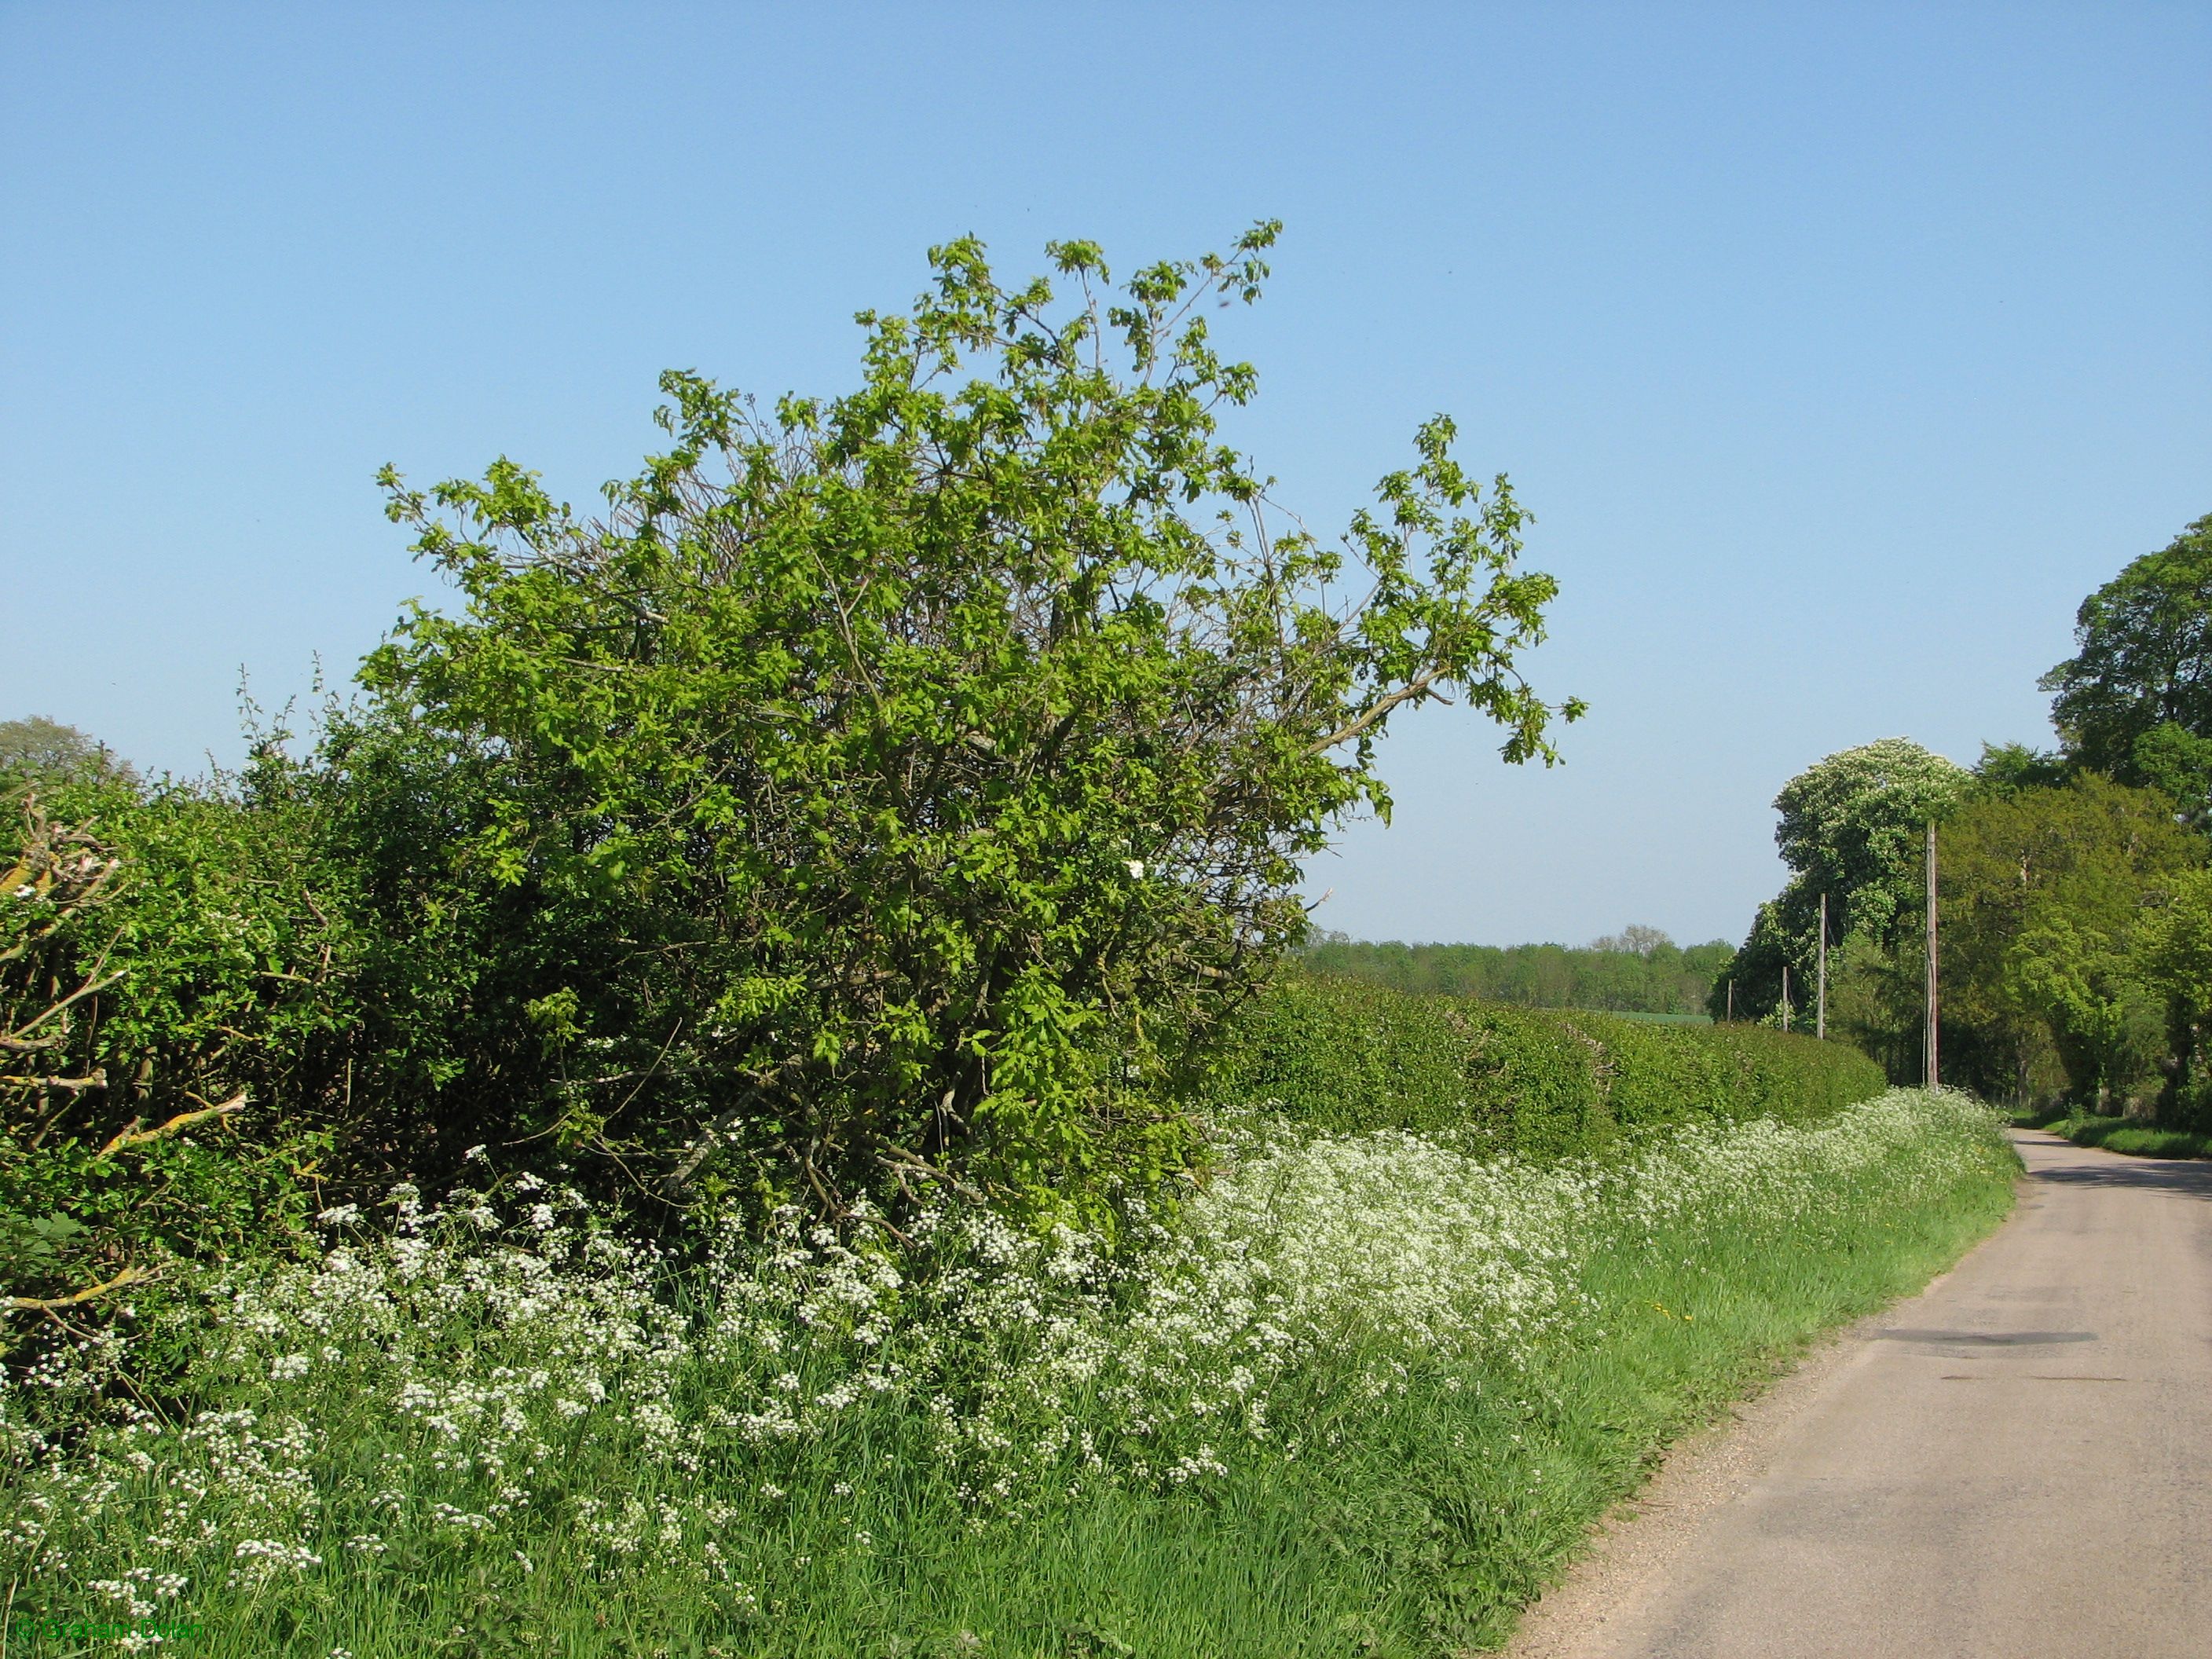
(888, 793)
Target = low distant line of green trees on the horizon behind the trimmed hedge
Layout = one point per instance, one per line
(1634, 972)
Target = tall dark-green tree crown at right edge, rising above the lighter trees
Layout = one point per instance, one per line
(2136, 700)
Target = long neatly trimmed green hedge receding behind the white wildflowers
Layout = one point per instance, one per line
(1543, 1083)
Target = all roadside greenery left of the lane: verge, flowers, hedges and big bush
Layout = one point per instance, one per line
(753, 1089)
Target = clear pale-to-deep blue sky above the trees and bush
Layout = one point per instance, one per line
(1839, 351)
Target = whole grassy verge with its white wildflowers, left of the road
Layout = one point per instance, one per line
(1359, 1395)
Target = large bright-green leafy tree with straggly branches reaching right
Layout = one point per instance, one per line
(904, 786)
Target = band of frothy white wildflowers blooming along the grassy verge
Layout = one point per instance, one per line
(512, 1353)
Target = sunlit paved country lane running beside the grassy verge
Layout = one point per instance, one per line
(2016, 1463)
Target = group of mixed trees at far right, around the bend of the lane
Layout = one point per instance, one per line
(2074, 886)
